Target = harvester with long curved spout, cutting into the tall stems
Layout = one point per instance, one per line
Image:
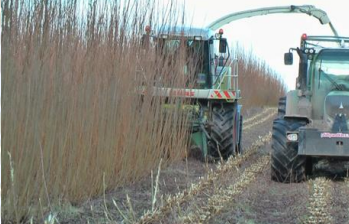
(216, 127)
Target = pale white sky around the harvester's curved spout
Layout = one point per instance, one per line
(270, 36)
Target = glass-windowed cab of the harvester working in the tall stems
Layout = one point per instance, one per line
(207, 55)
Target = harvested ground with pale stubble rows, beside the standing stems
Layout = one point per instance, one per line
(237, 191)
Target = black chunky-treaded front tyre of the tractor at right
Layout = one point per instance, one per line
(286, 164)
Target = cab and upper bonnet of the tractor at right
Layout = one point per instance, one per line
(323, 79)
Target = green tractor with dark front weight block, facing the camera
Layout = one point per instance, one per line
(312, 122)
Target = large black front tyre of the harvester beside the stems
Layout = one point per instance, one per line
(223, 142)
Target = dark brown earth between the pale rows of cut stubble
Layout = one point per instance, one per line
(261, 201)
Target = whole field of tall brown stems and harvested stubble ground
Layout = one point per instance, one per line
(79, 144)
